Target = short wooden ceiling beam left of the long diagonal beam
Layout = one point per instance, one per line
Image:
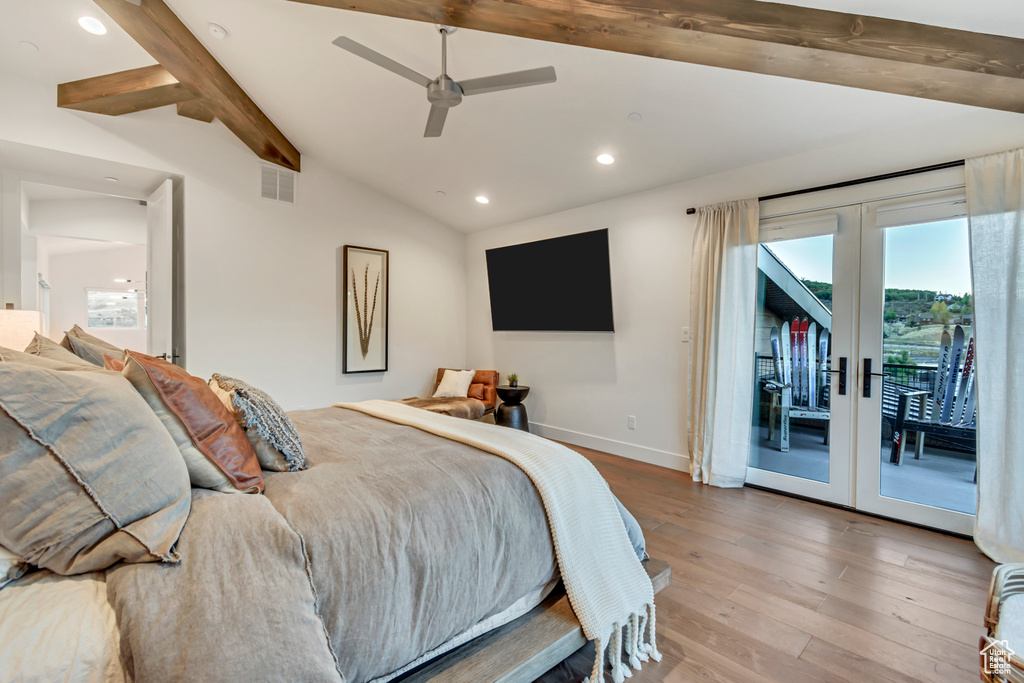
(124, 93)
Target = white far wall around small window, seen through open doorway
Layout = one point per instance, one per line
(70, 276)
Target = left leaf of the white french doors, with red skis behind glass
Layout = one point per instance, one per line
(798, 442)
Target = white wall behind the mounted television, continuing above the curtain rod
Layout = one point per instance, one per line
(585, 386)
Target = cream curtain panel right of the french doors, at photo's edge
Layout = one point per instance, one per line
(996, 209)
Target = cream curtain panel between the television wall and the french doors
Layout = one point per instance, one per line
(723, 289)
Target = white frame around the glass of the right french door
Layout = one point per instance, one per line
(876, 219)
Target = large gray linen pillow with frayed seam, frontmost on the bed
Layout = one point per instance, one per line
(89, 475)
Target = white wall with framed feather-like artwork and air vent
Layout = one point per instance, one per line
(262, 279)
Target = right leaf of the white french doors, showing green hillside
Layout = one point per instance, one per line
(918, 428)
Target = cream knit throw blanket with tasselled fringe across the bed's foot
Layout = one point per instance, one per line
(608, 587)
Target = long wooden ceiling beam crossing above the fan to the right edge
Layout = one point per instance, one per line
(868, 53)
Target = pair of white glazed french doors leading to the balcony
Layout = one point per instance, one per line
(863, 398)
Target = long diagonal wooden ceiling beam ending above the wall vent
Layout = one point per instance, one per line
(158, 30)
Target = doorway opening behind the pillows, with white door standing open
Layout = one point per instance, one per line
(95, 243)
